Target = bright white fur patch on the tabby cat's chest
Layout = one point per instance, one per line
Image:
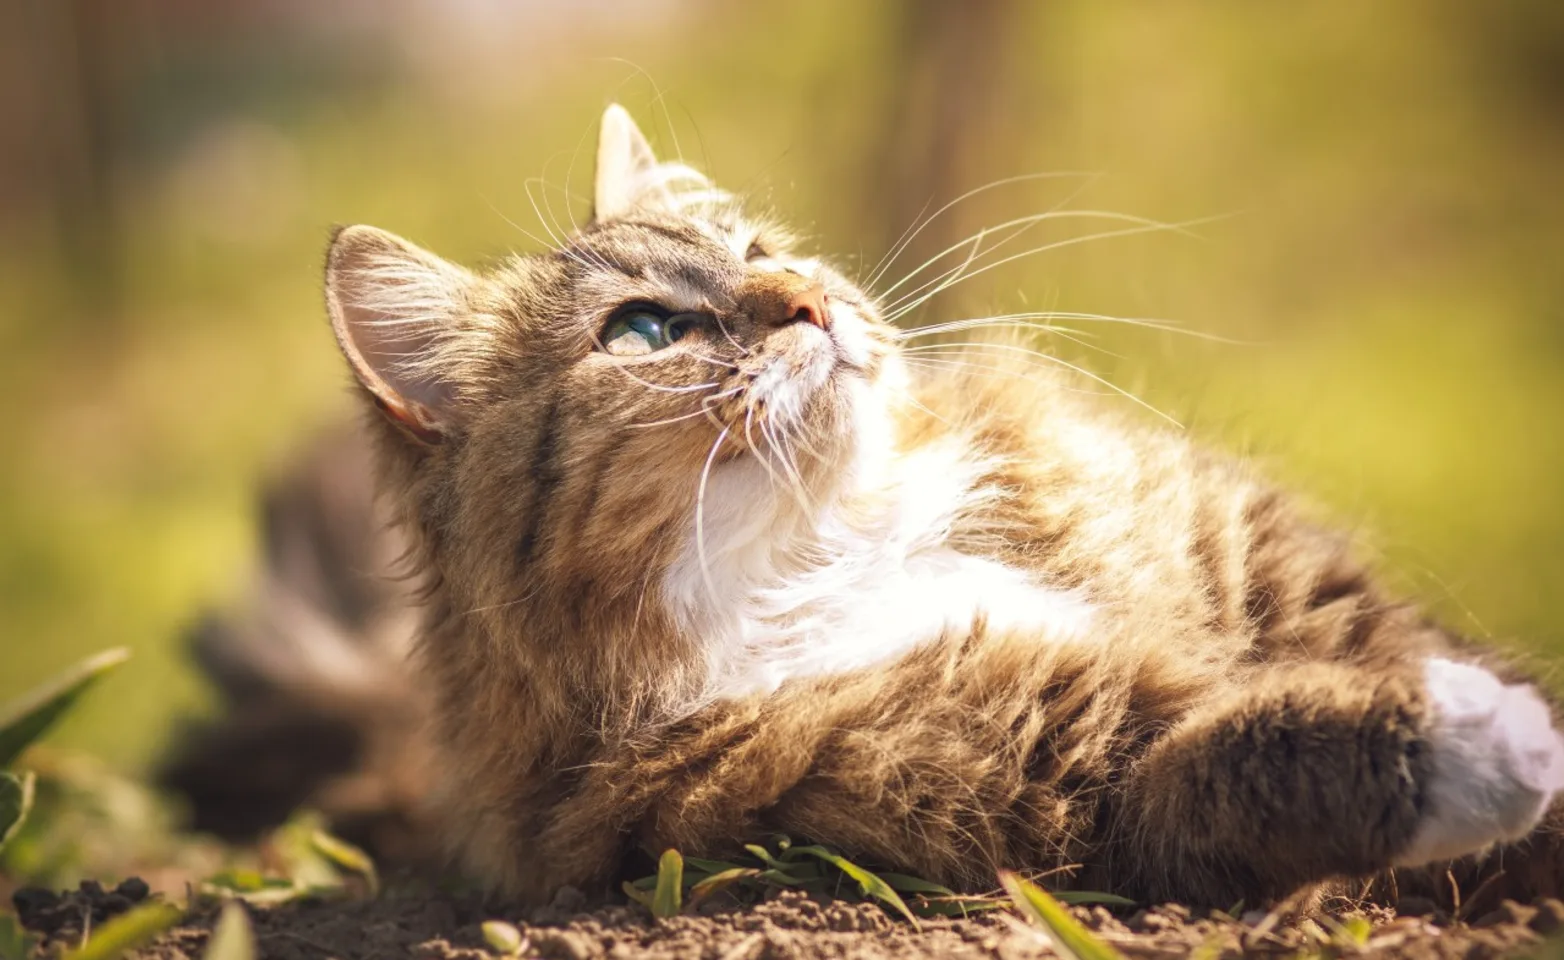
(777, 592)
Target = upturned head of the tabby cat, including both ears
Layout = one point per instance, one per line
(556, 420)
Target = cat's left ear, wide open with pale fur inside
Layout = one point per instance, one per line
(393, 306)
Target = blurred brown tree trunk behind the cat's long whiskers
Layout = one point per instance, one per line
(947, 109)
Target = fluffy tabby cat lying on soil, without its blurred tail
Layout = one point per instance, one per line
(706, 559)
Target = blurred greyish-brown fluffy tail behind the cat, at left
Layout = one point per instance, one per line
(318, 706)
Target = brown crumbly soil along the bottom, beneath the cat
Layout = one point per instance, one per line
(791, 926)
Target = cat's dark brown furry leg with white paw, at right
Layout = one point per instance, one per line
(1333, 770)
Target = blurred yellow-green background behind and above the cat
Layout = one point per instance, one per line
(1388, 256)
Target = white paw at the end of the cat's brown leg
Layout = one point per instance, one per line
(1498, 762)
